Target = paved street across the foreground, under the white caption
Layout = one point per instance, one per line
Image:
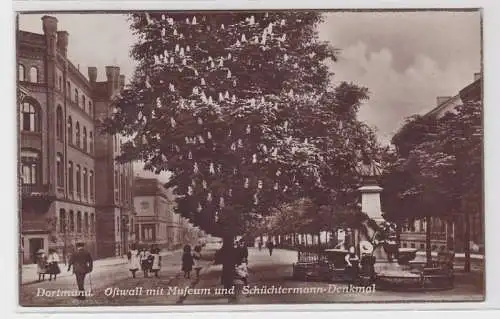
(113, 285)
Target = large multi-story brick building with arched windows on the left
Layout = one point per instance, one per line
(58, 153)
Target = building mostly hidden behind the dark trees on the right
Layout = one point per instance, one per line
(413, 235)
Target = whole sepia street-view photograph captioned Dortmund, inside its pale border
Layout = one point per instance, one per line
(170, 158)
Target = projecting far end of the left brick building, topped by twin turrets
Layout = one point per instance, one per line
(114, 201)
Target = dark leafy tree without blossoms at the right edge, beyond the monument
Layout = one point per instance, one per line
(439, 169)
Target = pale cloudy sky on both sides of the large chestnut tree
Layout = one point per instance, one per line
(405, 59)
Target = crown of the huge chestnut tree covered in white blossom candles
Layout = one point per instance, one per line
(237, 106)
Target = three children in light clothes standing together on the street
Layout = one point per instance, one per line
(149, 261)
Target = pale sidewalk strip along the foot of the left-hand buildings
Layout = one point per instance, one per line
(29, 272)
